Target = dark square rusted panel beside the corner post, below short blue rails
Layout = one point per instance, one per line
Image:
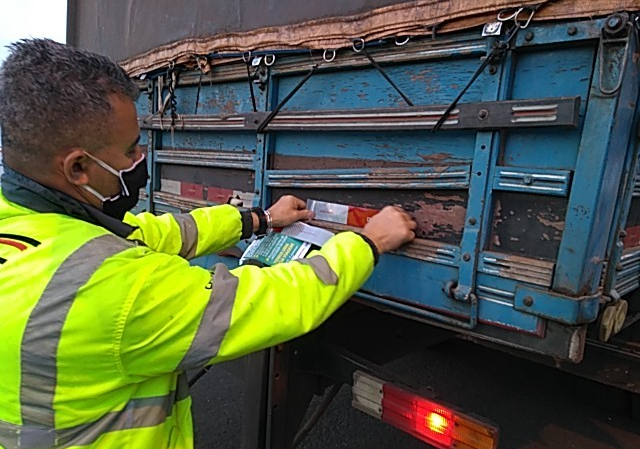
(528, 224)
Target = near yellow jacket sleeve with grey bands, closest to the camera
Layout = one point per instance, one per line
(182, 317)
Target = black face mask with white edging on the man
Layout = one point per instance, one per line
(132, 180)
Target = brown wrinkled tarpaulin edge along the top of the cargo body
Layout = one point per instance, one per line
(400, 19)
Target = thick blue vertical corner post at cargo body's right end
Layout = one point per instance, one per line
(601, 156)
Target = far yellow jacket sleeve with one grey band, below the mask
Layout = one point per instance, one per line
(199, 232)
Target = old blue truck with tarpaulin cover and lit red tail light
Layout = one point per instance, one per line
(508, 130)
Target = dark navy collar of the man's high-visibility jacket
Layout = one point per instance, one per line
(26, 192)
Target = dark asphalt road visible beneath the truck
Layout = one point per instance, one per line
(535, 406)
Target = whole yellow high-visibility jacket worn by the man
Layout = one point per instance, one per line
(97, 329)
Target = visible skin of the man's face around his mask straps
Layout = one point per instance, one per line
(122, 151)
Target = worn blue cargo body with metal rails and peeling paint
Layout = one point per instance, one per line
(526, 197)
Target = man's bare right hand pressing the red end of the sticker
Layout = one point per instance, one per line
(390, 228)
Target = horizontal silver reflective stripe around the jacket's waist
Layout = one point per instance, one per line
(138, 413)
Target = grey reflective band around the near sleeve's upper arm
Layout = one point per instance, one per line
(215, 320)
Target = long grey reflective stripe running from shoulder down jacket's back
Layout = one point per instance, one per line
(44, 327)
